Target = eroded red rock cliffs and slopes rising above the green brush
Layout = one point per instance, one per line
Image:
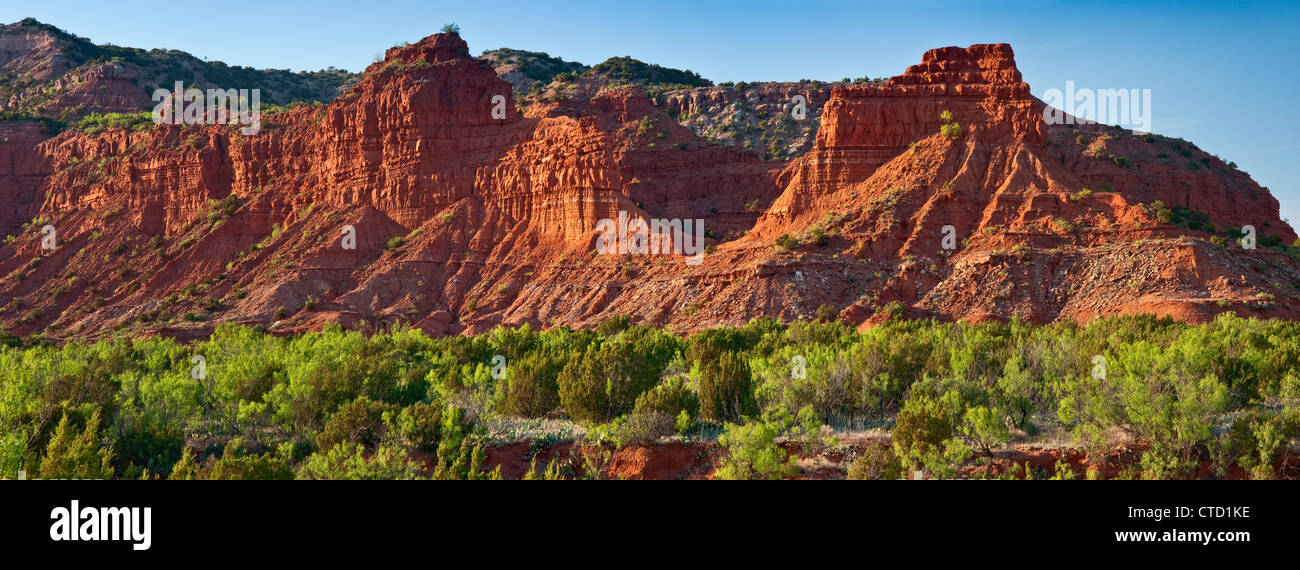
(465, 222)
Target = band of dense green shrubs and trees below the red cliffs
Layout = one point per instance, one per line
(400, 404)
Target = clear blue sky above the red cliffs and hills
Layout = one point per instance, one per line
(1221, 75)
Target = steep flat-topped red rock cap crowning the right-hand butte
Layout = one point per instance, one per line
(980, 85)
